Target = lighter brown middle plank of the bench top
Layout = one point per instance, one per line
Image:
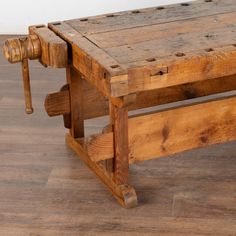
(113, 39)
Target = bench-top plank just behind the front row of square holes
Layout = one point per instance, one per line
(159, 48)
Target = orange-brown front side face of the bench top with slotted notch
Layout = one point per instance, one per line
(190, 68)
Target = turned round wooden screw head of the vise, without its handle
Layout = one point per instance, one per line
(18, 49)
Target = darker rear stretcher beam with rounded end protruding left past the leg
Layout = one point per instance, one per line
(96, 105)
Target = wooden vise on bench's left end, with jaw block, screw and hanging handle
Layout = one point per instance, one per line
(41, 43)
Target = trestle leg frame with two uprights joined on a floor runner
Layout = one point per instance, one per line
(115, 173)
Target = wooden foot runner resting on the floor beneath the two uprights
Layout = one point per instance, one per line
(125, 194)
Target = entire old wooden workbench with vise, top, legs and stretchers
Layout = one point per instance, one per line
(125, 61)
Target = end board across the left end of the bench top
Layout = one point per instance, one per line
(83, 57)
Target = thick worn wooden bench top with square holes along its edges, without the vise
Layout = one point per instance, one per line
(153, 48)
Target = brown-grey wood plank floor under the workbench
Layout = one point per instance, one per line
(46, 190)
